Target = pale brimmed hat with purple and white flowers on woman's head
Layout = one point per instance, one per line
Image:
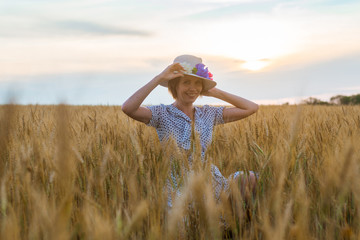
(194, 68)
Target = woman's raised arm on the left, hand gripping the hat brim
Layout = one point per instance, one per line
(132, 108)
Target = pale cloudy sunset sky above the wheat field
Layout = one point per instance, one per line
(99, 52)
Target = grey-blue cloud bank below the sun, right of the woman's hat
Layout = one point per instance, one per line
(334, 76)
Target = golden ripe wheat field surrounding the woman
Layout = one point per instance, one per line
(90, 172)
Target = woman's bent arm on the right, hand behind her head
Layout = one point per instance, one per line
(243, 107)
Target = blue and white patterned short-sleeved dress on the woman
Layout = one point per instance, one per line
(169, 121)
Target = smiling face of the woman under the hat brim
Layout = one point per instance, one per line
(188, 90)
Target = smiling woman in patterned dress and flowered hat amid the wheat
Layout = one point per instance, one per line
(187, 79)
